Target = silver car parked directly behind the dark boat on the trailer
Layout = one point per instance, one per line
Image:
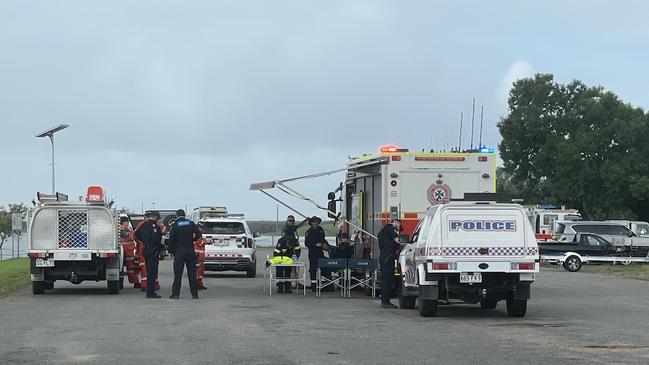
(616, 233)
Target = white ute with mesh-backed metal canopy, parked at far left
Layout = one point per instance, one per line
(74, 241)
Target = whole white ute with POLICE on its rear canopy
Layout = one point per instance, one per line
(477, 252)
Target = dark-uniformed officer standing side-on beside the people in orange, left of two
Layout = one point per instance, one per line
(150, 235)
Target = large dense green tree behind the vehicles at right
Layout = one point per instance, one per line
(578, 146)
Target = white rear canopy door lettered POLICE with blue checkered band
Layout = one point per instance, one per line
(473, 232)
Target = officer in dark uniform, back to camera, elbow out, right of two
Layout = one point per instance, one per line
(181, 243)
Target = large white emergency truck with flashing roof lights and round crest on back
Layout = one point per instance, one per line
(397, 183)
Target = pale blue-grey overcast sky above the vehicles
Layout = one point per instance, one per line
(188, 102)
